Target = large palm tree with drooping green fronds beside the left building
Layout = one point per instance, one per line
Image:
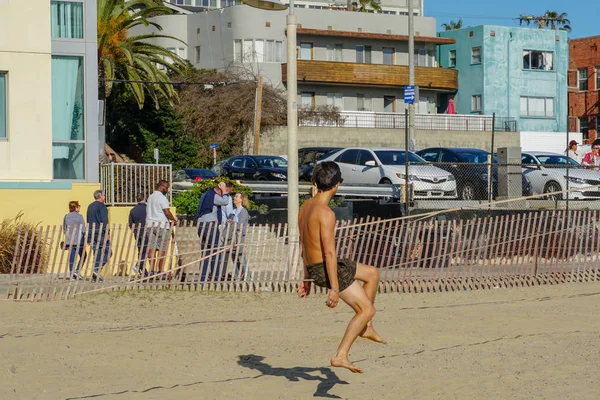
(132, 59)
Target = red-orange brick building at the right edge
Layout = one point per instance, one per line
(584, 87)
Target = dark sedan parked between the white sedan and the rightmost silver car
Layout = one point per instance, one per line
(469, 167)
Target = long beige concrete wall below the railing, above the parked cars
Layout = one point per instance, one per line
(275, 141)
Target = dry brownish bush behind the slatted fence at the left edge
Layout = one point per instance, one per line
(28, 234)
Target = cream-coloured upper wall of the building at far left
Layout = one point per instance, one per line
(25, 56)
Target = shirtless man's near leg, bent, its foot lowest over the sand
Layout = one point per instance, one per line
(356, 297)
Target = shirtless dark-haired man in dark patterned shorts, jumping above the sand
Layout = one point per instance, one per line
(317, 236)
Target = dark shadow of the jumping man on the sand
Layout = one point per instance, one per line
(327, 378)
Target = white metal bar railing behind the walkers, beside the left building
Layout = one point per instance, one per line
(122, 182)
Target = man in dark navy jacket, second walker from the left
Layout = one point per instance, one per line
(98, 233)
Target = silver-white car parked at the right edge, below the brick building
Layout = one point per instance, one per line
(548, 174)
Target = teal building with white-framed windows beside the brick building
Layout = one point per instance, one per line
(517, 73)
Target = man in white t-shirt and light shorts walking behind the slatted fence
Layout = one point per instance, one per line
(158, 222)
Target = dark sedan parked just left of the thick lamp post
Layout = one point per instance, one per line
(256, 168)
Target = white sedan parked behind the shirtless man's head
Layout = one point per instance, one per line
(362, 165)
